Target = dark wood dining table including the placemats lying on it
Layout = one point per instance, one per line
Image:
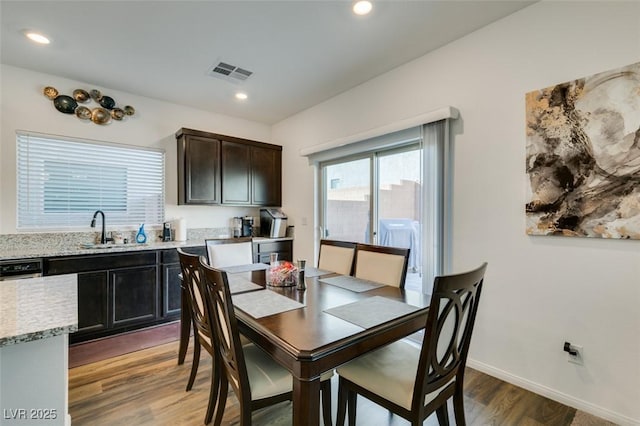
(323, 326)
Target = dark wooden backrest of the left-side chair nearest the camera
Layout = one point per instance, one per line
(225, 331)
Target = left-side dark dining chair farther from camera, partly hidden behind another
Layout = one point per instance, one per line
(203, 338)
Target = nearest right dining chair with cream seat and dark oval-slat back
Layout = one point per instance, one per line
(412, 381)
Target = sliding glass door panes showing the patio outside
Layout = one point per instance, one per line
(376, 199)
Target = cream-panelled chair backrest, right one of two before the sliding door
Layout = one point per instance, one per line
(384, 265)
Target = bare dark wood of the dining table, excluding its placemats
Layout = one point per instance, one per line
(308, 341)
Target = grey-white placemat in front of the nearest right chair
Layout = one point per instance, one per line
(371, 311)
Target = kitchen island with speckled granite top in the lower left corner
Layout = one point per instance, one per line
(36, 317)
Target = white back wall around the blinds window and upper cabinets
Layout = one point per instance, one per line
(24, 107)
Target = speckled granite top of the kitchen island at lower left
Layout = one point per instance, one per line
(37, 308)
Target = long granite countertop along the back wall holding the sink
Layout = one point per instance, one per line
(79, 249)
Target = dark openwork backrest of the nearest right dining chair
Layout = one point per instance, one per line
(447, 335)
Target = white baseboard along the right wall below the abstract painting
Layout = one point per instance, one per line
(554, 394)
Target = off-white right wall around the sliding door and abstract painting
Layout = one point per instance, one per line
(539, 291)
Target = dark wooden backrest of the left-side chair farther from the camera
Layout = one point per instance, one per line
(190, 266)
